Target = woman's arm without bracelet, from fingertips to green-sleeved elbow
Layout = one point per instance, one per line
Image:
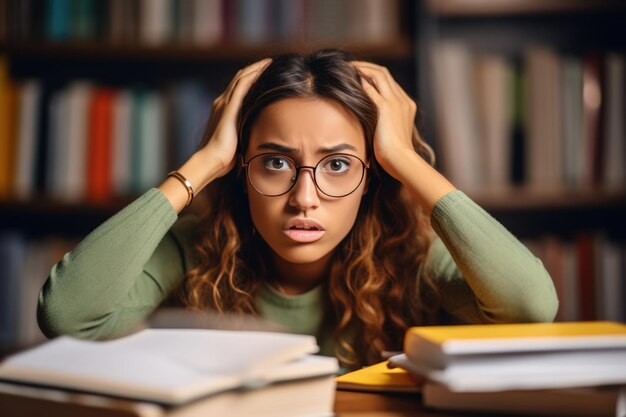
(507, 282)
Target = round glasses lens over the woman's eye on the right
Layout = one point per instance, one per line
(339, 175)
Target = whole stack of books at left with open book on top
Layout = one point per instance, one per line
(172, 372)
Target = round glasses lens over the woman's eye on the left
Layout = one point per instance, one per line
(271, 174)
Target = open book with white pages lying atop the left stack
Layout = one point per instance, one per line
(170, 367)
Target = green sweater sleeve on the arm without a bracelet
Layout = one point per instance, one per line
(484, 274)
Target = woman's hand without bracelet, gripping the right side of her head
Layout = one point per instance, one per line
(396, 119)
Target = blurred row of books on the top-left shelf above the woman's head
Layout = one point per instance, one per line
(199, 22)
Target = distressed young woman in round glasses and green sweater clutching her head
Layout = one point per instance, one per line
(321, 197)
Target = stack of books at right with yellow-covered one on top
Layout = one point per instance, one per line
(574, 368)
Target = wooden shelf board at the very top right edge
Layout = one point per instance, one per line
(459, 8)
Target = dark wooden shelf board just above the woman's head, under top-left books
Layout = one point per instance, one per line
(400, 48)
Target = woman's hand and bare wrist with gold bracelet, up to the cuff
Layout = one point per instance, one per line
(217, 157)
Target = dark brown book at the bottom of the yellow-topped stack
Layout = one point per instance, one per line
(557, 402)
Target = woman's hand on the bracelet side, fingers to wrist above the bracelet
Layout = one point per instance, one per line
(221, 132)
